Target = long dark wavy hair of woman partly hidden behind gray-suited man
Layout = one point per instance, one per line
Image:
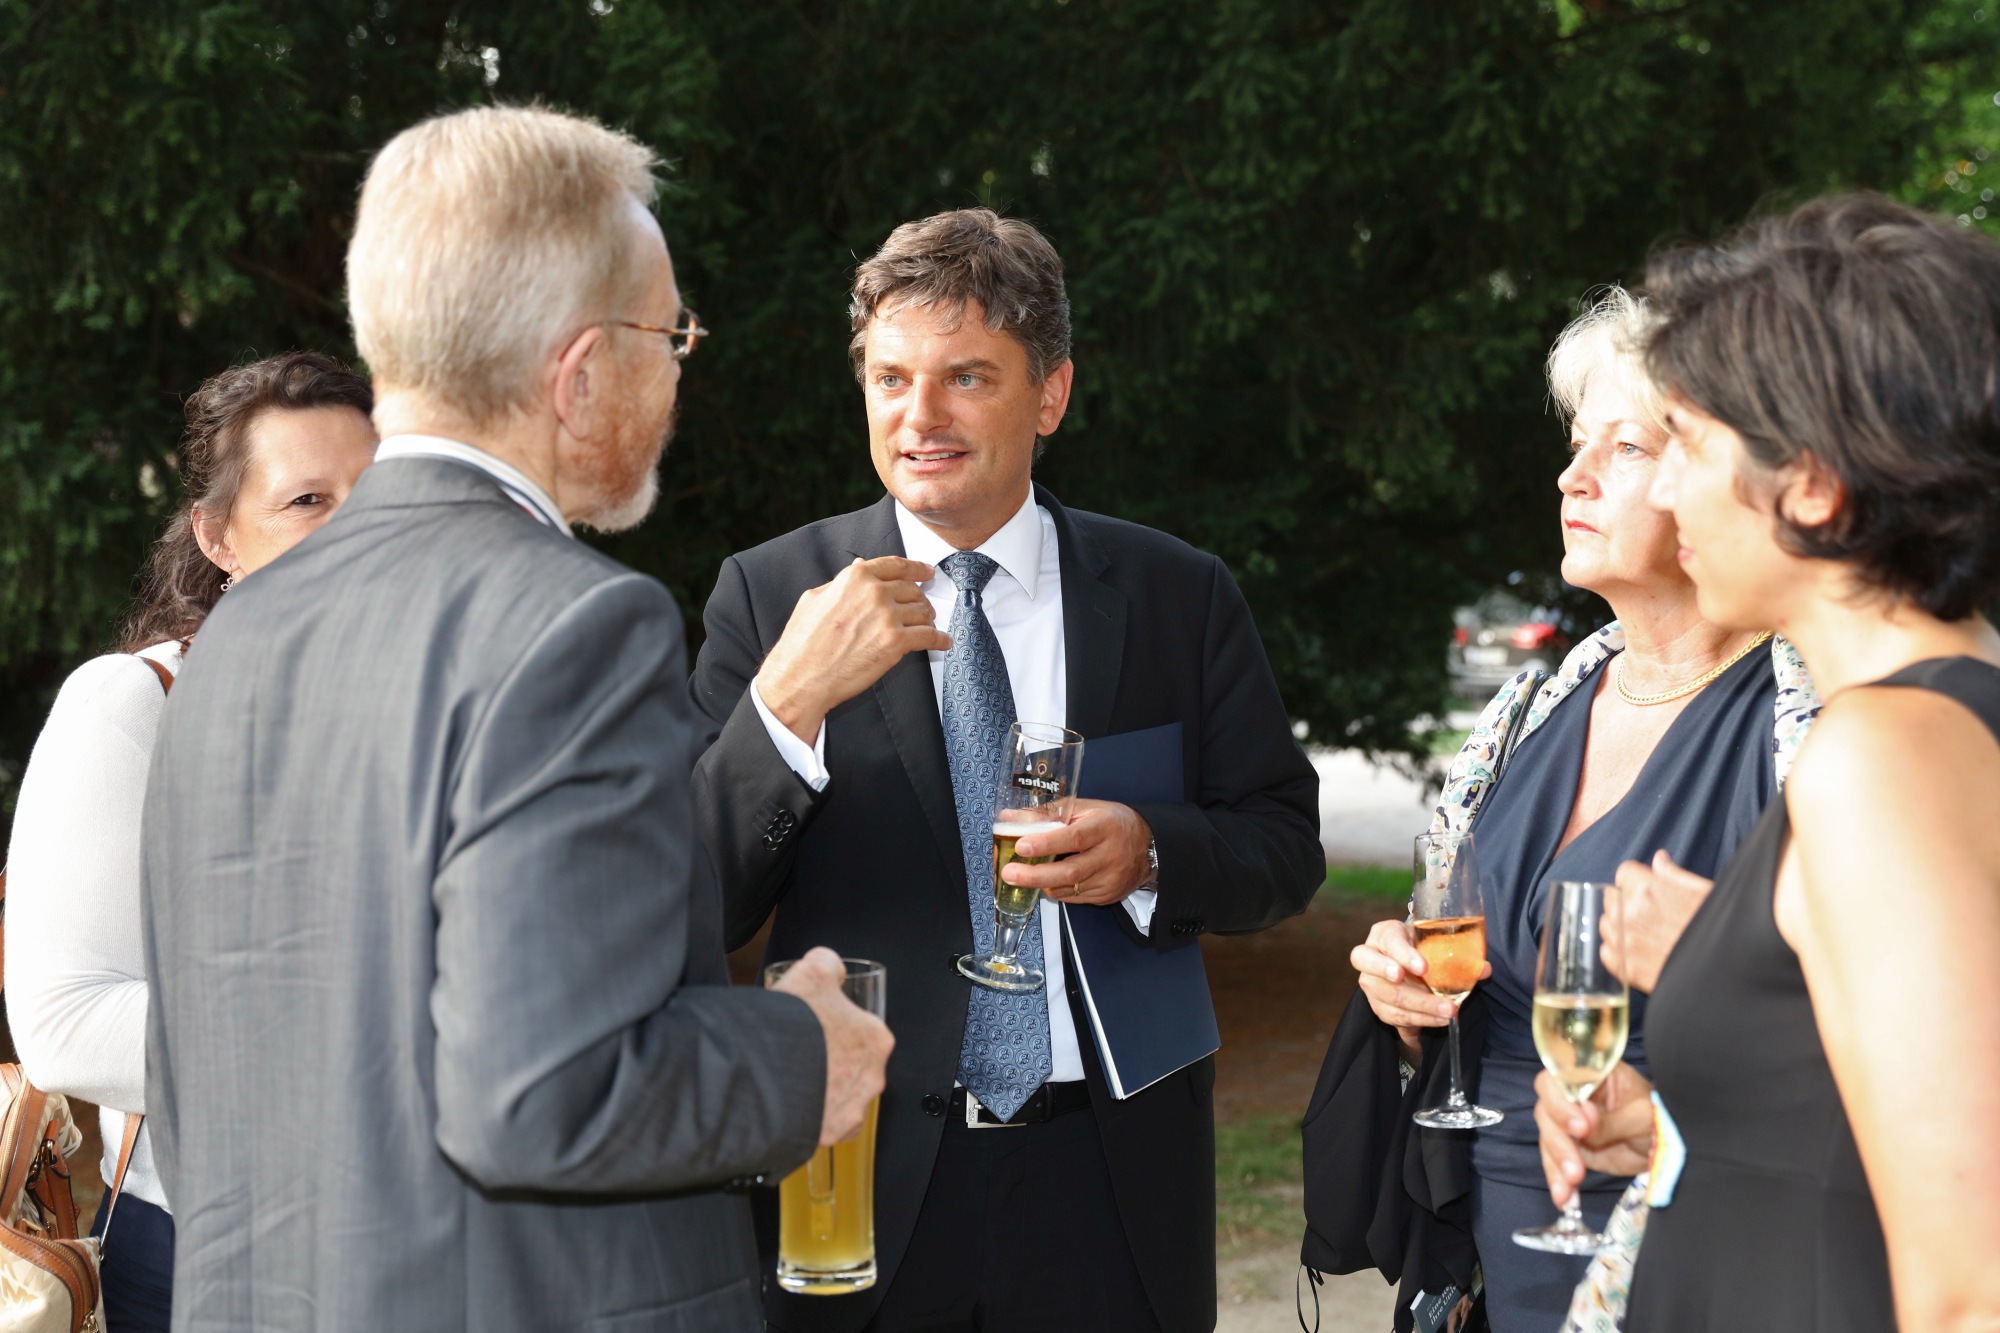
(181, 585)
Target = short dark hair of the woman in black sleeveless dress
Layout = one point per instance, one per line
(1865, 335)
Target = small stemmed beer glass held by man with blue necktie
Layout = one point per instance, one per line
(1035, 796)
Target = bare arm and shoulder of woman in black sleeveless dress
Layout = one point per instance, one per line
(1891, 898)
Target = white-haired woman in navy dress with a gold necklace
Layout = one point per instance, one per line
(1655, 738)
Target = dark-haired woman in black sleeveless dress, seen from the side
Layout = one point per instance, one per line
(1827, 1034)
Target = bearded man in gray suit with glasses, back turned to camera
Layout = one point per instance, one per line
(441, 1034)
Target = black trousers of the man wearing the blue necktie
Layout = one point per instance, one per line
(1019, 1234)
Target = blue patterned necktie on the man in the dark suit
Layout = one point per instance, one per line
(1007, 1034)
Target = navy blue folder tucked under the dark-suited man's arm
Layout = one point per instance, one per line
(1149, 1010)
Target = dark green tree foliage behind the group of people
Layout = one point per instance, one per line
(1317, 251)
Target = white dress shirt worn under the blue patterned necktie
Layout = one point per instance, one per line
(1025, 609)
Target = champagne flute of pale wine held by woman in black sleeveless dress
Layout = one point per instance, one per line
(1583, 1014)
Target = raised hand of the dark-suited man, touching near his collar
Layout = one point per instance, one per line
(843, 637)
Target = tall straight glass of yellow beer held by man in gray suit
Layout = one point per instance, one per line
(827, 1208)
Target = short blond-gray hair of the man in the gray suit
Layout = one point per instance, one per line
(485, 241)
